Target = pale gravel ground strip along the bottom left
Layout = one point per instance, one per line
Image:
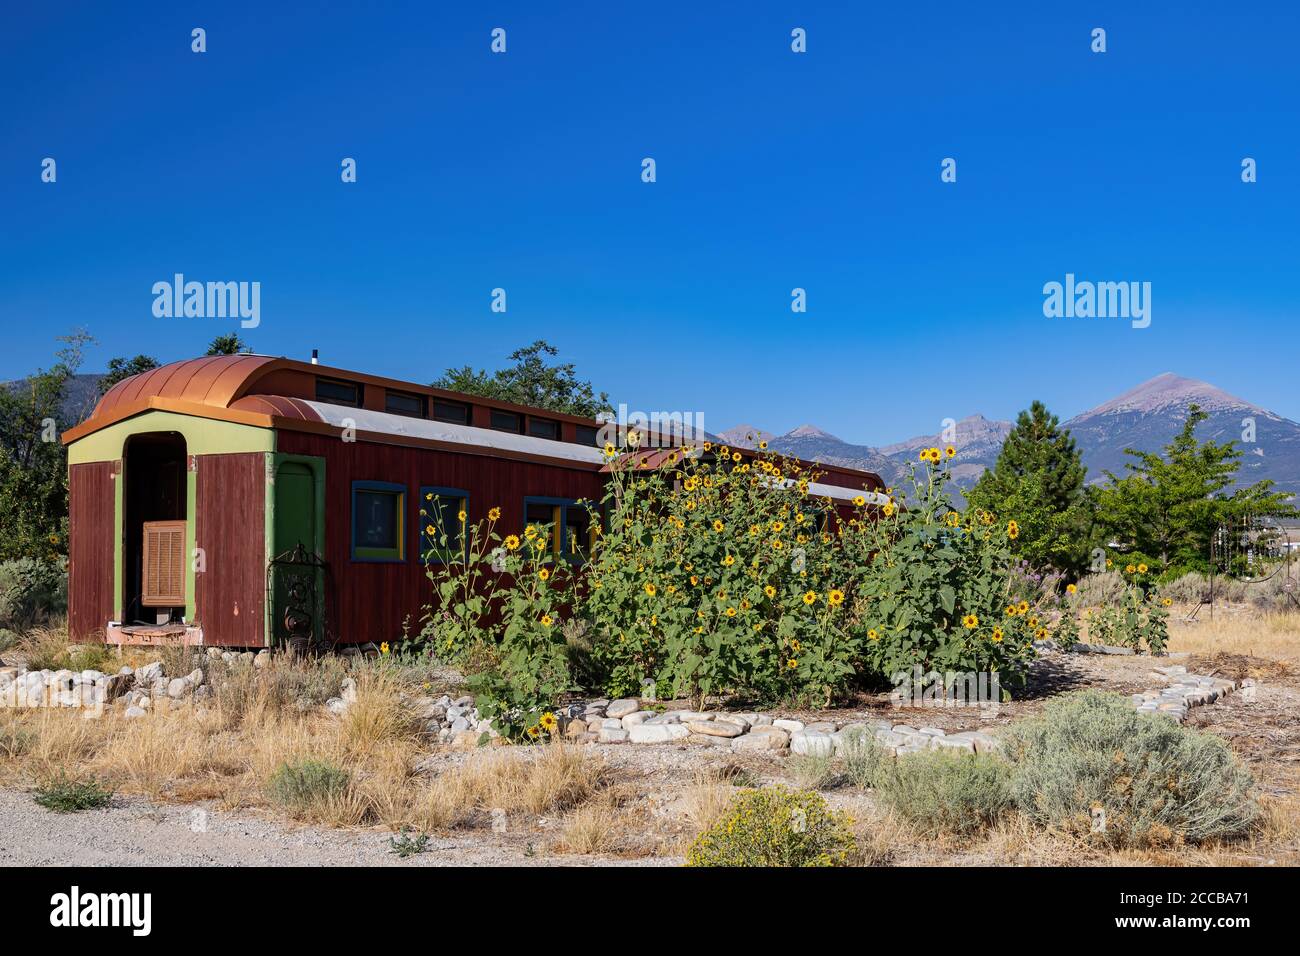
(138, 833)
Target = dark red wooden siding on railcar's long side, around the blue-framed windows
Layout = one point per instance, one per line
(372, 600)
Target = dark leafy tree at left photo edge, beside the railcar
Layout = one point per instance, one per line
(33, 462)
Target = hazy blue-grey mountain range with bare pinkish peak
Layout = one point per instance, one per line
(1145, 418)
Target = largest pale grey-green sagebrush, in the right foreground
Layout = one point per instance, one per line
(1145, 778)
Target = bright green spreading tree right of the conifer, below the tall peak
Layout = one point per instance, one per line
(1168, 507)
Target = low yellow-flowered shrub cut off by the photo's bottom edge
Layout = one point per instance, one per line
(775, 828)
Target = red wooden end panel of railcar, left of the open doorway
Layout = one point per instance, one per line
(92, 548)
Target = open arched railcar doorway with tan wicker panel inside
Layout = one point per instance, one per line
(154, 529)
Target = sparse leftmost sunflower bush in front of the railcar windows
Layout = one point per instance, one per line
(504, 596)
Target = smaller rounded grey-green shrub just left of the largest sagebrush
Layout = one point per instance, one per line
(947, 793)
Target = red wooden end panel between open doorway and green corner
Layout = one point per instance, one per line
(231, 529)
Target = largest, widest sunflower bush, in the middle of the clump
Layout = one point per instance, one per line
(720, 574)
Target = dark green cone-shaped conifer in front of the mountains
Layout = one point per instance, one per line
(1038, 482)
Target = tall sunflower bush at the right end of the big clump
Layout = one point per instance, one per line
(935, 589)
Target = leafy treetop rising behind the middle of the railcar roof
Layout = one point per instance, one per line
(531, 382)
